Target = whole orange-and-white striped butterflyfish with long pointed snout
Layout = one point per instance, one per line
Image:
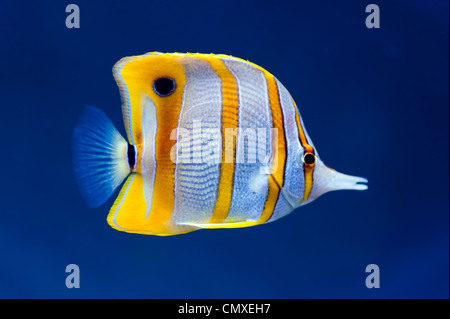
(213, 141)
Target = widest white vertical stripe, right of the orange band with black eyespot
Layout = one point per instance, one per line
(197, 180)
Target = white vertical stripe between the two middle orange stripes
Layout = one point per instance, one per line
(254, 113)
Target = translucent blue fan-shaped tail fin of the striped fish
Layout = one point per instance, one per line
(99, 156)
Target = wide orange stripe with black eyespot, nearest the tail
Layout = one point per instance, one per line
(139, 73)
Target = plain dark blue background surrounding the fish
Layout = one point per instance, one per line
(375, 102)
